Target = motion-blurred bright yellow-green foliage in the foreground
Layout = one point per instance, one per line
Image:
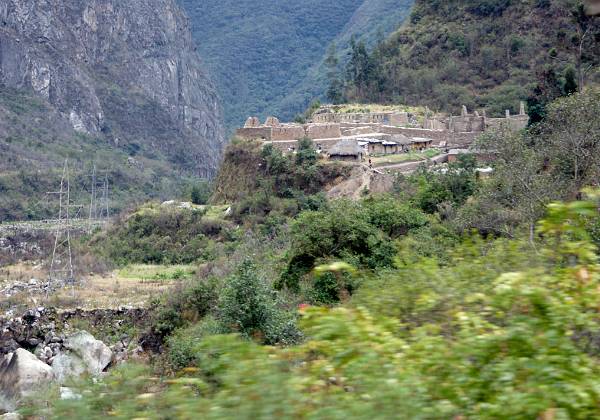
(501, 329)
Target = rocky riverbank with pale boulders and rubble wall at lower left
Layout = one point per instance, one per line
(44, 346)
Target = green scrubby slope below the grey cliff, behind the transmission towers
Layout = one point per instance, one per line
(35, 139)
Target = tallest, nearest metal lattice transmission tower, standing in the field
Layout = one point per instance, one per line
(61, 267)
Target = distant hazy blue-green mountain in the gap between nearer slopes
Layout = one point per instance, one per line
(266, 56)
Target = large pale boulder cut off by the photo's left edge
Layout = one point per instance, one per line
(21, 374)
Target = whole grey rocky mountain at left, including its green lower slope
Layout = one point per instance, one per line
(118, 83)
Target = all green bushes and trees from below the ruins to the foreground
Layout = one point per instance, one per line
(452, 297)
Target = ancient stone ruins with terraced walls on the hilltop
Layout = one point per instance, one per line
(388, 132)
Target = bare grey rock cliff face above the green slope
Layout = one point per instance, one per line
(125, 71)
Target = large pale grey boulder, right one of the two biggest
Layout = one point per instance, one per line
(84, 354)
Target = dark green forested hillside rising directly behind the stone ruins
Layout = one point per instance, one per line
(480, 53)
